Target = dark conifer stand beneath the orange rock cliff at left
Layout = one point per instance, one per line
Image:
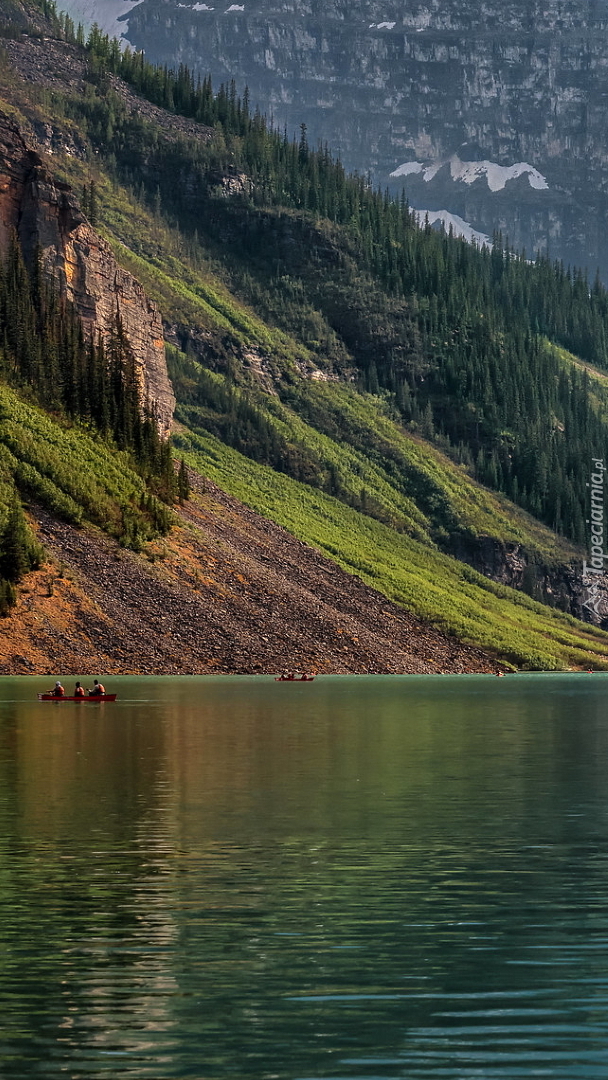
(46, 355)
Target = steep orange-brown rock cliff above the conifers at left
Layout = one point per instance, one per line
(47, 218)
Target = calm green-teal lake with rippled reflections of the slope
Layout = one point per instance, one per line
(359, 879)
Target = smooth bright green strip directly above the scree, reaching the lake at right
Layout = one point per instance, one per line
(436, 587)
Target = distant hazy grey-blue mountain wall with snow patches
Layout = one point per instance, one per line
(518, 88)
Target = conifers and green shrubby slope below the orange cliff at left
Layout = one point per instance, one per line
(45, 356)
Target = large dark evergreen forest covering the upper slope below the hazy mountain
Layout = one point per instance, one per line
(462, 339)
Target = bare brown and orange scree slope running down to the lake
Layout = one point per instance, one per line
(228, 592)
